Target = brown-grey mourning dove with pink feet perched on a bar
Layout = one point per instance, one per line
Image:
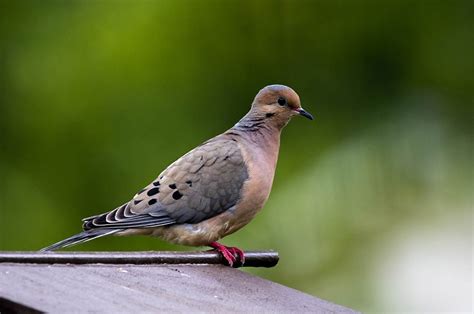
(213, 190)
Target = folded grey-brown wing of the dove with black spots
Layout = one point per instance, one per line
(201, 184)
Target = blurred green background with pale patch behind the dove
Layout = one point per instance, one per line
(372, 202)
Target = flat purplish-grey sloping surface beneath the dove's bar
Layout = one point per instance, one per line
(160, 288)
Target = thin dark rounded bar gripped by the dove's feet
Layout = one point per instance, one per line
(252, 258)
